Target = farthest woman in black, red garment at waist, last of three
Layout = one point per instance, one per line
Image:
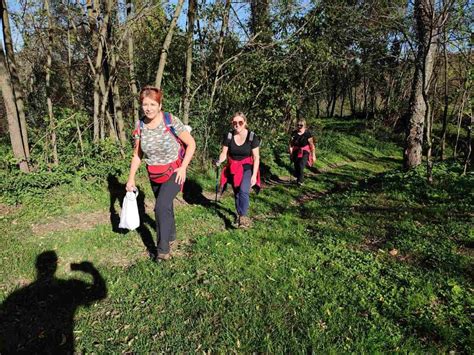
(302, 150)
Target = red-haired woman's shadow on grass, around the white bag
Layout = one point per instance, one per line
(117, 193)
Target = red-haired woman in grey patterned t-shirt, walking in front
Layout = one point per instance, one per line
(167, 147)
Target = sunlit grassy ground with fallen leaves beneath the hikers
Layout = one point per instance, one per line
(362, 258)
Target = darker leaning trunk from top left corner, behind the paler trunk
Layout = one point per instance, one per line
(15, 80)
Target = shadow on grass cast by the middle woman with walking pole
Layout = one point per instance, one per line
(193, 194)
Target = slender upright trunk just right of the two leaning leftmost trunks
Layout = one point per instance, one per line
(52, 122)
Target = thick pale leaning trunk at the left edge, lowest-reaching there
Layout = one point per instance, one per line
(12, 115)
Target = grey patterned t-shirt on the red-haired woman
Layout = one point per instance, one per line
(160, 146)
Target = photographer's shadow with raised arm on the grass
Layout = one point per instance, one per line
(39, 318)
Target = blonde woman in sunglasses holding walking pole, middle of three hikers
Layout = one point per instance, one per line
(241, 149)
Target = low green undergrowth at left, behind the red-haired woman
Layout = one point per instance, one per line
(95, 160)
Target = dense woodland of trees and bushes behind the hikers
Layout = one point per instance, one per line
(70, 80)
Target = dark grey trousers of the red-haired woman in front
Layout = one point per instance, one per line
(164, 213)
